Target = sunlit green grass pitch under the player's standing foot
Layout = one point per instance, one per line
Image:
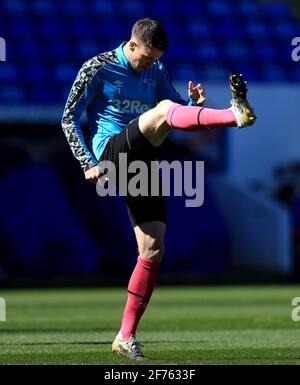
(183, 325)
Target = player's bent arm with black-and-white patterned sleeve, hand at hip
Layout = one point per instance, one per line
(84, 88)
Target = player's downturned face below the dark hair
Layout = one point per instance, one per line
(144, 57)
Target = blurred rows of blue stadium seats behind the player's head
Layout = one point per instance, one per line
(48, 41)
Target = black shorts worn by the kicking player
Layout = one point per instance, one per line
(131, 141)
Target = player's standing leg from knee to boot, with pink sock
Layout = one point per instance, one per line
(150, 239)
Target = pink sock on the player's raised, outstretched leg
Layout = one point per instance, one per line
(190, 118)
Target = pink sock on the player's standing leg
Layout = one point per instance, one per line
(140, 288)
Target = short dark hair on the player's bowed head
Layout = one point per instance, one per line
(151, 33)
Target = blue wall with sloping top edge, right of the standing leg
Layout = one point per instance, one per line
(259, 229)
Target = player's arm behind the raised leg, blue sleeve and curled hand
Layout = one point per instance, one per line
(167, 91)
